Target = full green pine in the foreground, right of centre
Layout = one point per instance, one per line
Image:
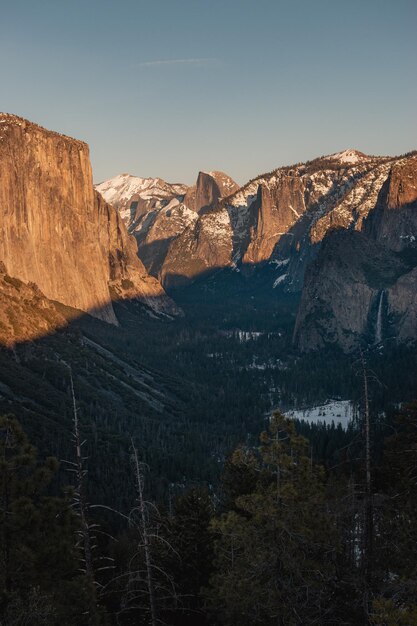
(269, 550)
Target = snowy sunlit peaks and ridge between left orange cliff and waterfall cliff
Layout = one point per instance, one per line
(278, 218)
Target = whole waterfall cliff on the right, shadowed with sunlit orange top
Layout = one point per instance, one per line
(363, 285)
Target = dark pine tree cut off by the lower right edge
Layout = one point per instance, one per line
(396, 537)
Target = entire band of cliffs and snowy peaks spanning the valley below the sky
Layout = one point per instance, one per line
(340, 231)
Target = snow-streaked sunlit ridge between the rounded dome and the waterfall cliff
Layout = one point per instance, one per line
(281, 214)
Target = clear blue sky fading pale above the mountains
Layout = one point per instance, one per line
(168, 87)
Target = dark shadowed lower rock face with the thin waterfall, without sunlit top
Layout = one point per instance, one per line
(357, 292)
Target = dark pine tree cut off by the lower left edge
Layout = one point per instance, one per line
(38, 565)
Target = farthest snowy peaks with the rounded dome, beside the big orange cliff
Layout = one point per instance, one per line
(163, 217)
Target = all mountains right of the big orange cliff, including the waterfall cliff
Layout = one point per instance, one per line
(363, 209)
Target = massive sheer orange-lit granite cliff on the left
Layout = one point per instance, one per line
(57, 232)
